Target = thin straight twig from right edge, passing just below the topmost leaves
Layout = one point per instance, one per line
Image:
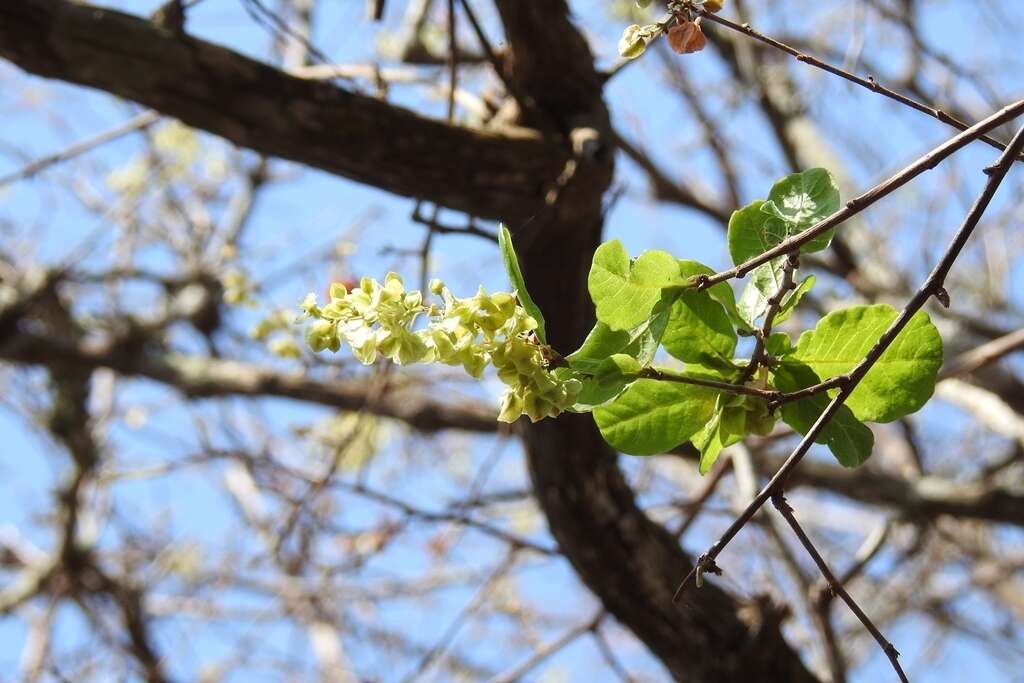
(862, 202)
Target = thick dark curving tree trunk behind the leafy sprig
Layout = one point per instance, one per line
(630, 563)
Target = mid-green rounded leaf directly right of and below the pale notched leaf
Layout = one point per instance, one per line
(700, 331)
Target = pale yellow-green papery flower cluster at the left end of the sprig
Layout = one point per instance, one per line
(378, 319)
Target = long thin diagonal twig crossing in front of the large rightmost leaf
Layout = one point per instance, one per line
(933, 286)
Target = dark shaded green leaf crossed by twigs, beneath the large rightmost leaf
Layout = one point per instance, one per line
(848, 439)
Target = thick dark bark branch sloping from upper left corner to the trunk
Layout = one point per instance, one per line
(488, 175)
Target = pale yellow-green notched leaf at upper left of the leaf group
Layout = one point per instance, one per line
(626, 293)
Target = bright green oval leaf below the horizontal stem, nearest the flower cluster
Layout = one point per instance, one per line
(652, 417)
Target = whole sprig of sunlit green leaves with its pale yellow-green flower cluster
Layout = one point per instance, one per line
(657, 303)
